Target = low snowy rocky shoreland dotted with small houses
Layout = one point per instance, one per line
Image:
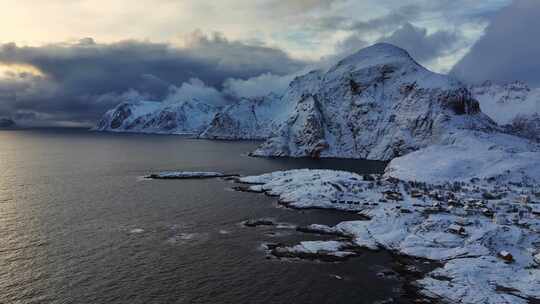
(420, 220)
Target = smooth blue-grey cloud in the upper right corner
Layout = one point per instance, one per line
(509, 50)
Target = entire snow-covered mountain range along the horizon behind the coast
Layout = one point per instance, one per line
(377, 104)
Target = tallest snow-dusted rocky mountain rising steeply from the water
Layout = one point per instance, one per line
(375, 104)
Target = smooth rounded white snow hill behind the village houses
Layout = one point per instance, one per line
(467, 155)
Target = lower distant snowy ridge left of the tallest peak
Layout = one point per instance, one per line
(253, 118)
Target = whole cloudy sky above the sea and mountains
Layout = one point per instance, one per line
(65, 62)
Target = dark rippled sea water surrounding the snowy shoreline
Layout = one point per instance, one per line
(79, 225)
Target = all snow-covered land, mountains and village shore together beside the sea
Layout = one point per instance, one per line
(461, 187)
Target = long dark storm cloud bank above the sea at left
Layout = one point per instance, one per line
(80, 81)
